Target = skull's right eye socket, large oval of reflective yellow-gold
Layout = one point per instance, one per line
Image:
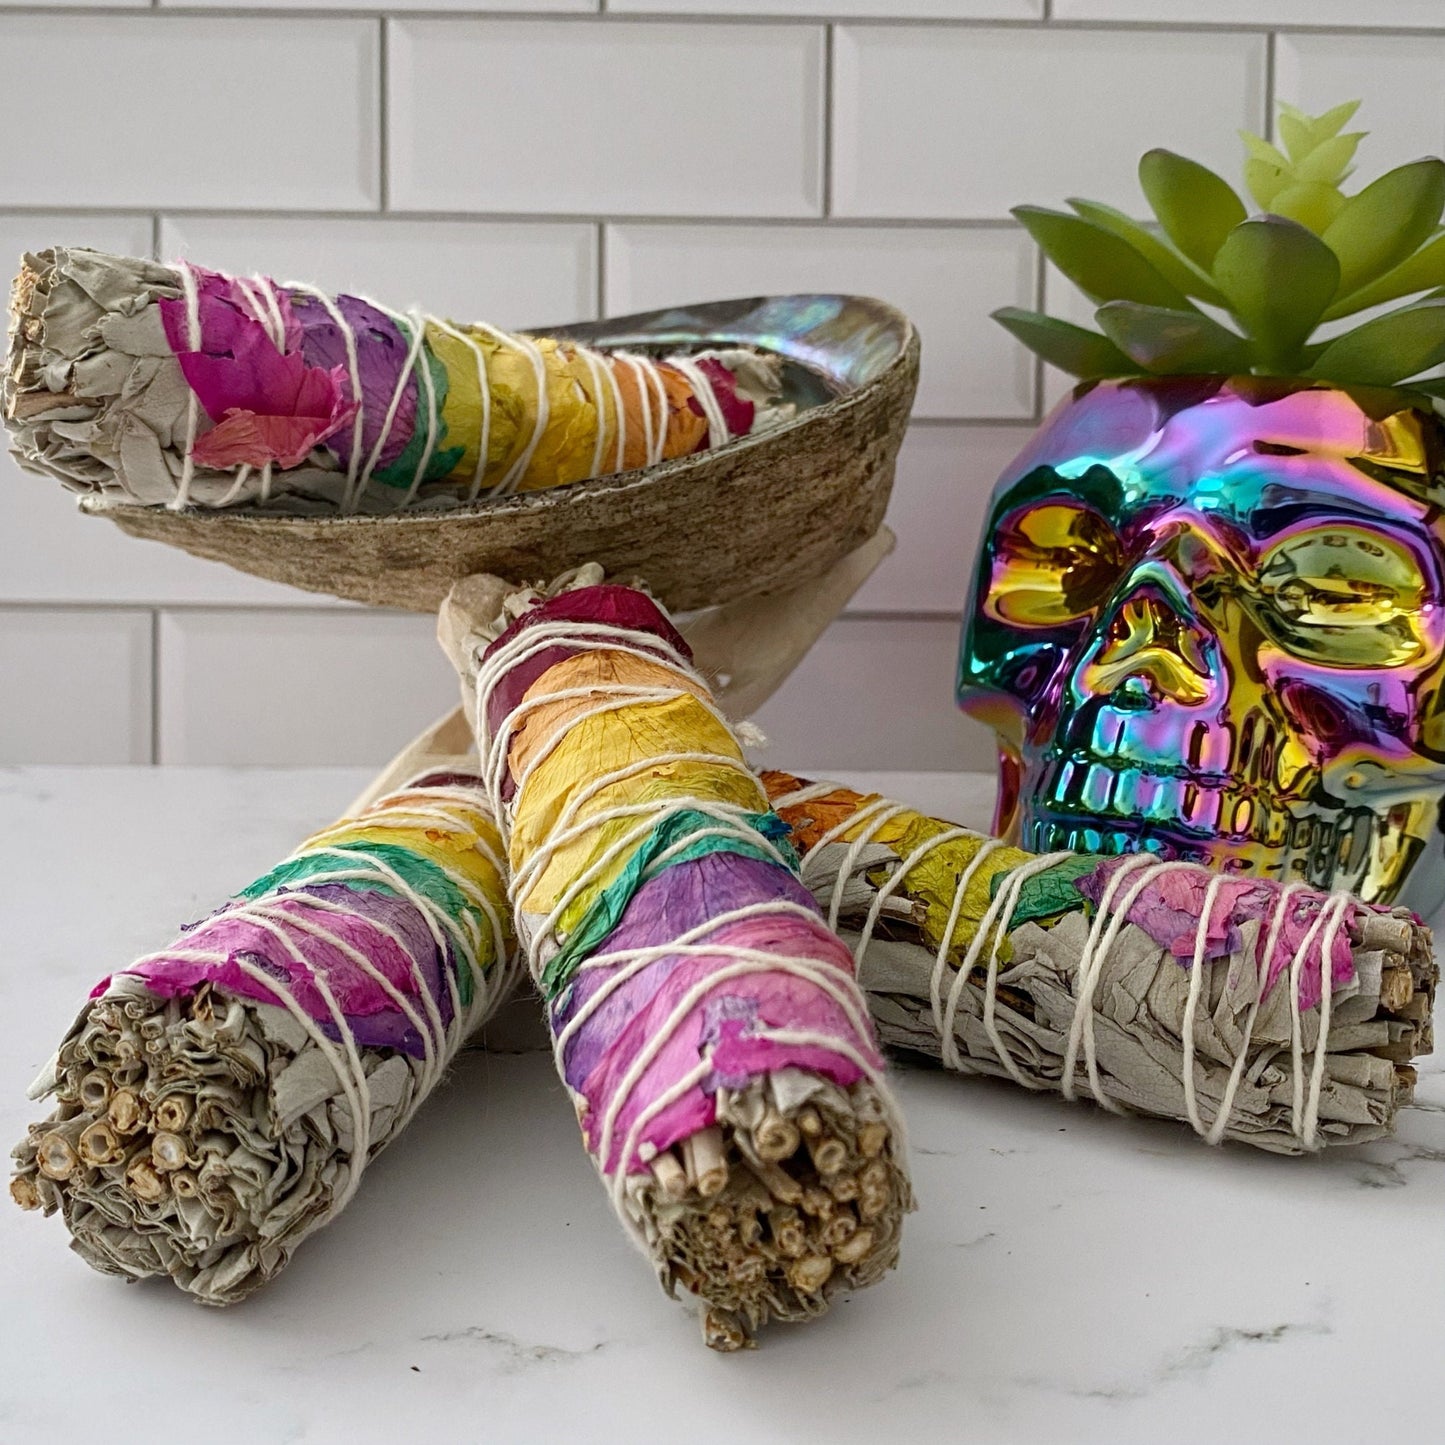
(1345, 596)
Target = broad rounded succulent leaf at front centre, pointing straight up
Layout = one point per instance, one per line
(1278, 278)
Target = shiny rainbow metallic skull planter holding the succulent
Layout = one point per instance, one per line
(1207, 622)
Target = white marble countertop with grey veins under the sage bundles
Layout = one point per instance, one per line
(1070, 1277)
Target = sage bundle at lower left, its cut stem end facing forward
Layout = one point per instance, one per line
(219, 1102)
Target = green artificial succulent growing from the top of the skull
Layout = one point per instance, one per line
(1210, 288)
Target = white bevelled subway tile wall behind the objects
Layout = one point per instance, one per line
(571, 158)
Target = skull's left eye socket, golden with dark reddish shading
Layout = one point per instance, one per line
(1053, 564)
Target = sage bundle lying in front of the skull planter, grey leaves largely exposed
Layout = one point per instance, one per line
(1258, 1012)
